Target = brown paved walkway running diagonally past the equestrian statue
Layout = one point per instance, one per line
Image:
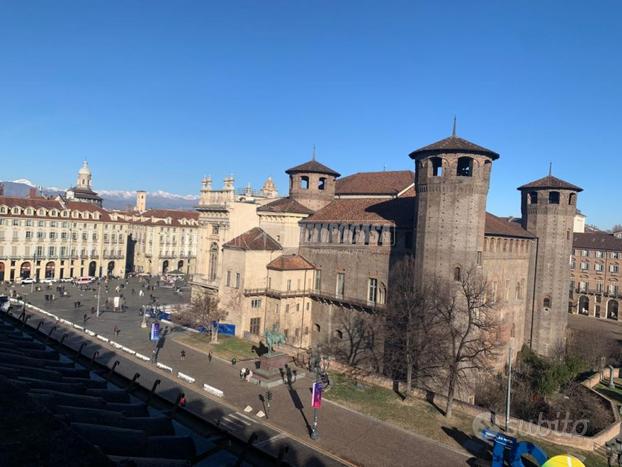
(351, 436)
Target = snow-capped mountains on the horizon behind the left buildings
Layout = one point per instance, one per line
(113, 199)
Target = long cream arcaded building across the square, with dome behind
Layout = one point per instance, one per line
(73, 236)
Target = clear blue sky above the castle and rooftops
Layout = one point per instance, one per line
(155, 94)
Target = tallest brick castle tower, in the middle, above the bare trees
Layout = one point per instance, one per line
(452, 179)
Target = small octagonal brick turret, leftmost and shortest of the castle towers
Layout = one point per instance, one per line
(312, 184)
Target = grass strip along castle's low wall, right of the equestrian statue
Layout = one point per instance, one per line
(419, 416)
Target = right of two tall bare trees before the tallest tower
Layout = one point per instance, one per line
(467, 314)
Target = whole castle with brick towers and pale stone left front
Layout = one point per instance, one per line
(326, 250)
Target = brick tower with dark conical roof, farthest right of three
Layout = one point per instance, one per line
(548, 207)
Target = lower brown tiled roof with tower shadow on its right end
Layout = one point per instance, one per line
(398, 211)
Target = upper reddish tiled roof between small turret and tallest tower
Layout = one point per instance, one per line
(375, 183)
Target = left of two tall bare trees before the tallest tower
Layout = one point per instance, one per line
(412, 327)
